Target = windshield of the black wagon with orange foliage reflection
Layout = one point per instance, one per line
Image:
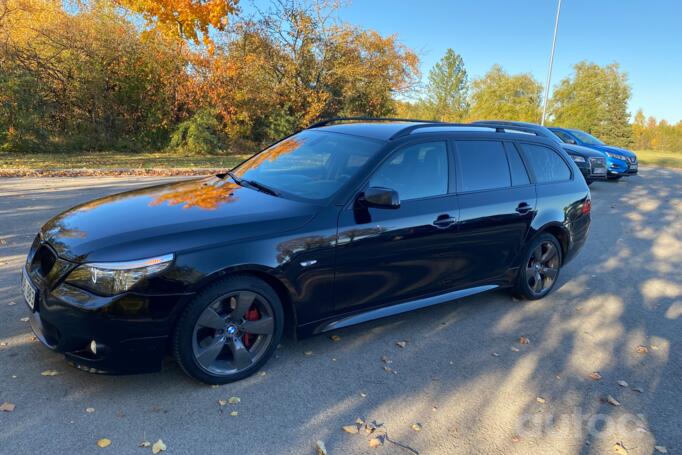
(310, 164)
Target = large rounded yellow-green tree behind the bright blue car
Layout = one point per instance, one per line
(595, 99)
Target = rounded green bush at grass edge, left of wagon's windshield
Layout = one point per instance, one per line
(199, 135)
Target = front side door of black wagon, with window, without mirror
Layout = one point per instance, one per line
(385, 256)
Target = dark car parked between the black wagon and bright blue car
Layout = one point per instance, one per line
(592, 164)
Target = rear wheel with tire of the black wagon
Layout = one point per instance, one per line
(526, 286)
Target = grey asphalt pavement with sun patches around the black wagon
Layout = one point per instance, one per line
(462, 375)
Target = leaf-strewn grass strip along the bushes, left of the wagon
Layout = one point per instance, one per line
(116, 160)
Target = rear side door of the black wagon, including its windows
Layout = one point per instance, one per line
(497, 203)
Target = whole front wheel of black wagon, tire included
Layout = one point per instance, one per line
(218, 352)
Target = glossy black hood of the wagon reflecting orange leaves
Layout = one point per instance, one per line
(170, 218)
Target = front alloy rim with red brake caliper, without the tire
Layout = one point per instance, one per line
(233, 332)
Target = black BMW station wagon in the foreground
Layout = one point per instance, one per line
(339, 224)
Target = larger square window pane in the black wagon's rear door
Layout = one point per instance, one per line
(482, 165)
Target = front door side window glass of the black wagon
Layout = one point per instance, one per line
(417, 171)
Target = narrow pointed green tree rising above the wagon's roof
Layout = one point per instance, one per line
(447, 90)
